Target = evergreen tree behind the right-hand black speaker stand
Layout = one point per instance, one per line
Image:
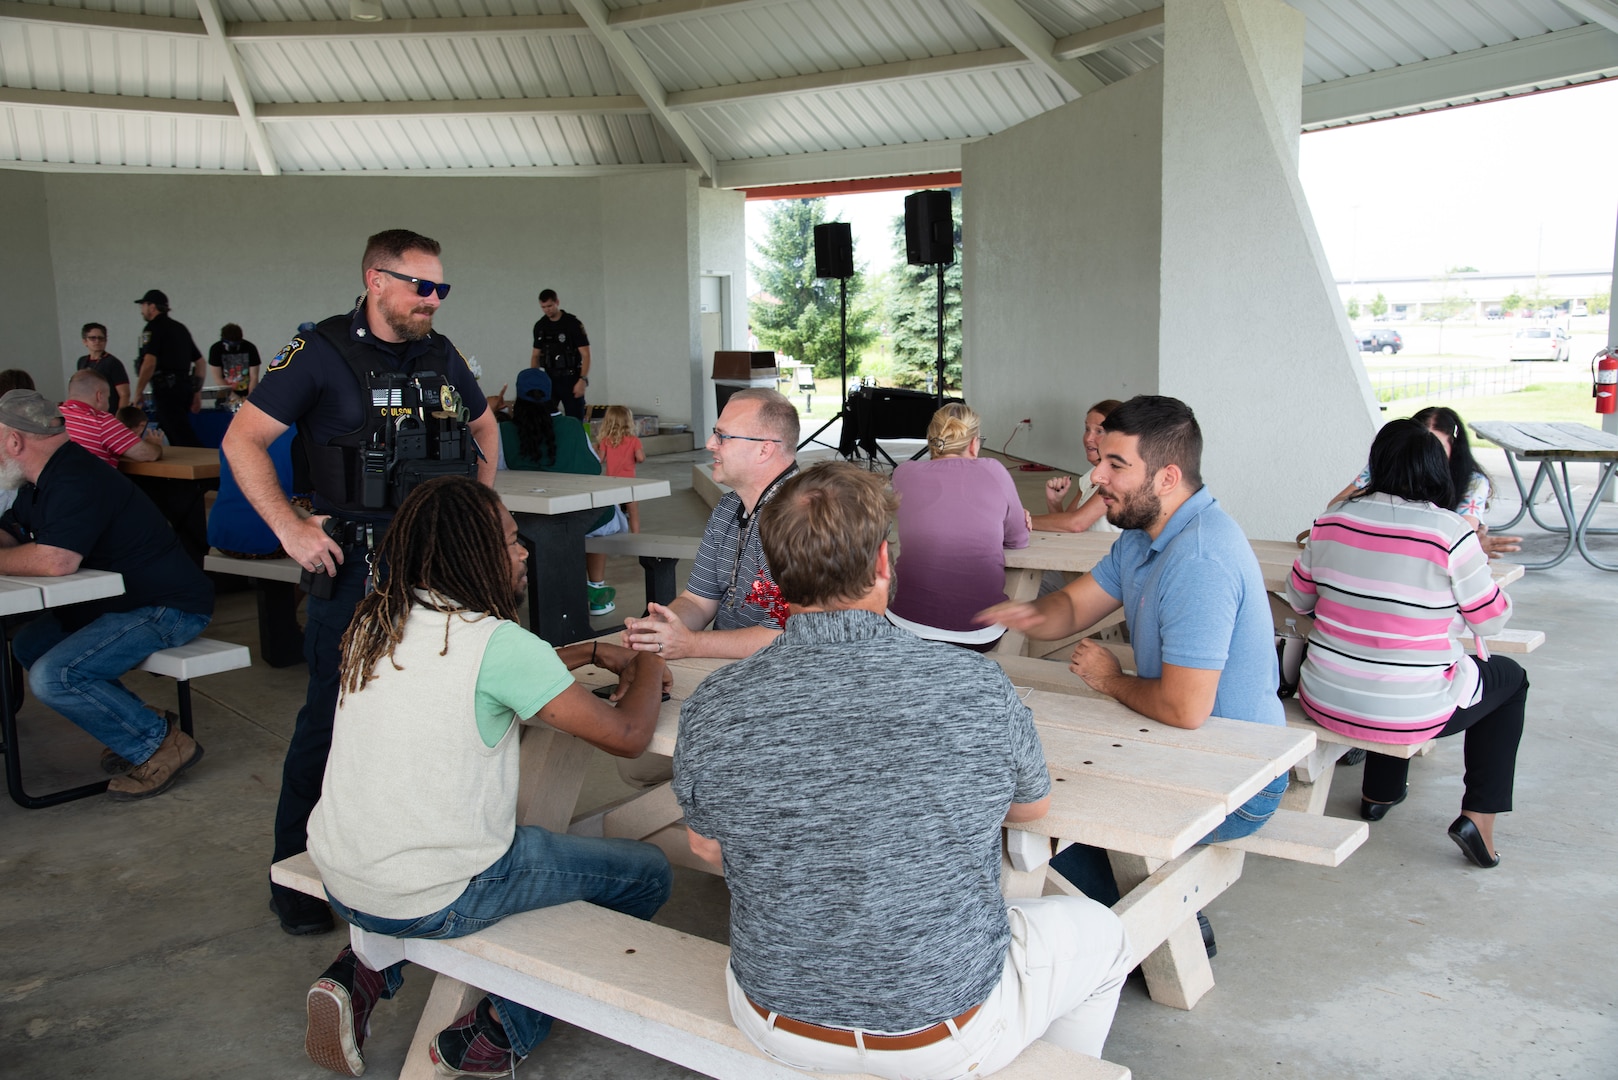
(913, 312)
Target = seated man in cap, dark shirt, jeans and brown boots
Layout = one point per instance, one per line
(74, 512)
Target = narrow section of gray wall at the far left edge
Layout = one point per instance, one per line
(30, 341)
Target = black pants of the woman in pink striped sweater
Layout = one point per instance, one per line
(1494, 728)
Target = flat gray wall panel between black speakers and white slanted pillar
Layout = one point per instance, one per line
(1061, 245)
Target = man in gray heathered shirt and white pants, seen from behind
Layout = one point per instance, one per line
(853, 780)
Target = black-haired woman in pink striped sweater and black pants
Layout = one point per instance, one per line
(1394, 580)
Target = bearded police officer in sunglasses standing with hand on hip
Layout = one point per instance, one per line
(316, 383)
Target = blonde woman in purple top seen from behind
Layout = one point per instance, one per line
(957, 516)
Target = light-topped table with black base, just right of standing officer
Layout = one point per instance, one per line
(554, 512)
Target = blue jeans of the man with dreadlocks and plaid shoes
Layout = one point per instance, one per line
(543, 869)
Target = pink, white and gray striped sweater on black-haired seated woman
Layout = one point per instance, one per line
(1392, 585)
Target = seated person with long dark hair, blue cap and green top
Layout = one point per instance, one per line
(540, 440)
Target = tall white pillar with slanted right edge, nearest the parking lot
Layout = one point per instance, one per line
(1252, 334)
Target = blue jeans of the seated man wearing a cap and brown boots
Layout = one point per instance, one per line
(77, 674)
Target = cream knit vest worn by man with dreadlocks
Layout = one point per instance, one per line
(415, 806)
